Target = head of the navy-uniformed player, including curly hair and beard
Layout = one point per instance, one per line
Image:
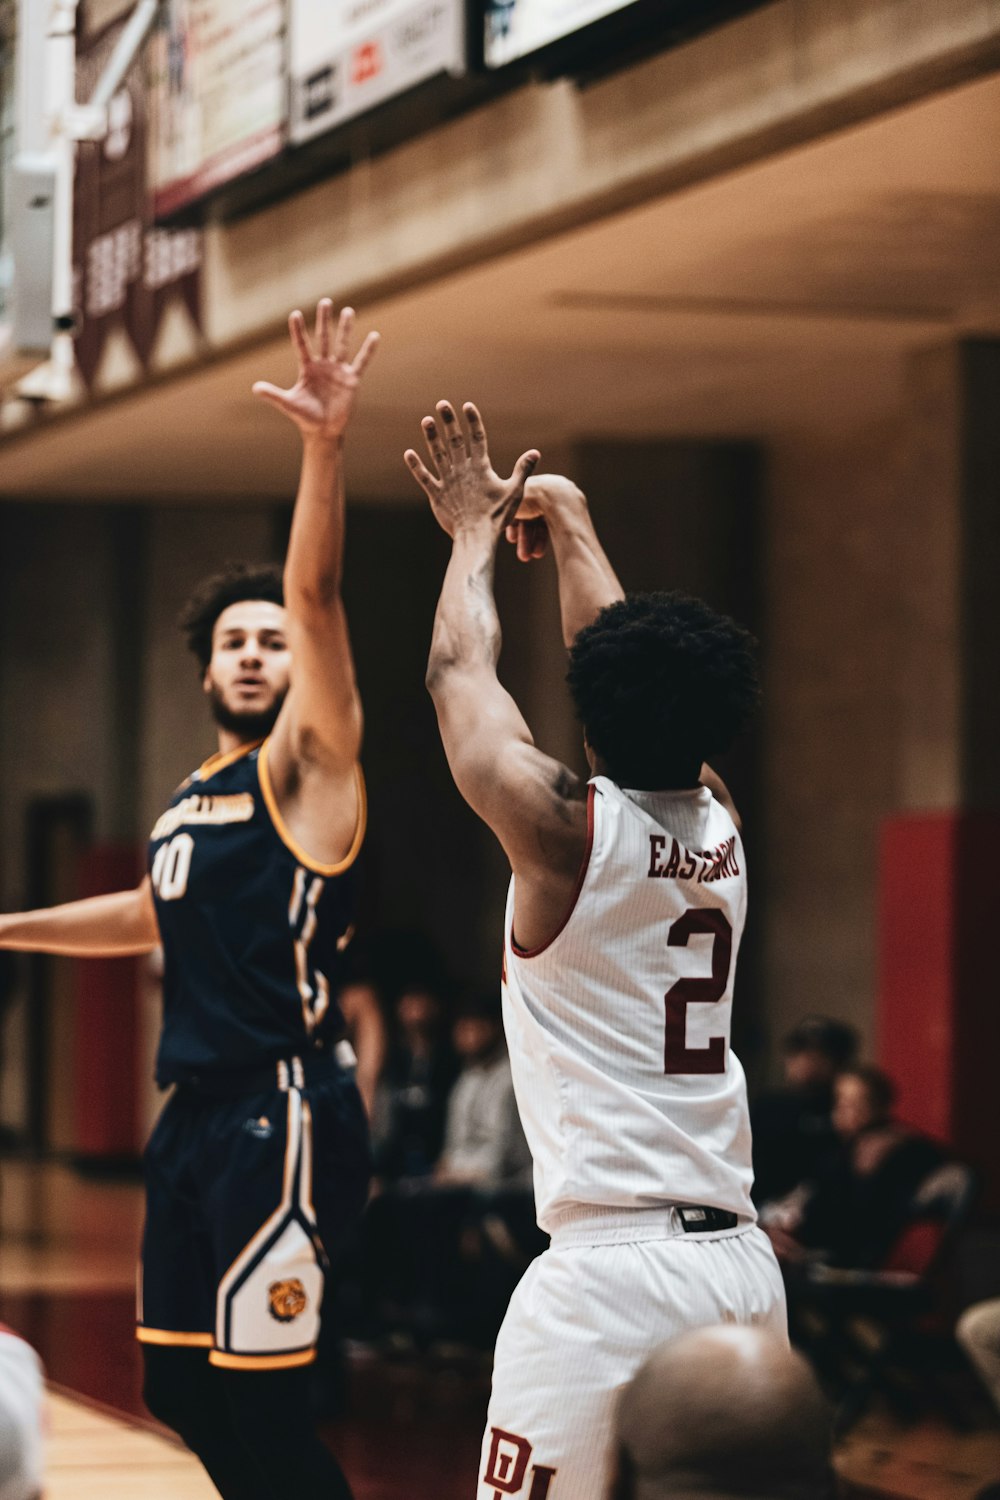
(238, 629)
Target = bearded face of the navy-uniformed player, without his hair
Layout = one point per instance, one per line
(248, 677)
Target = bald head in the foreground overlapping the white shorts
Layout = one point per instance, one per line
(723, 1414)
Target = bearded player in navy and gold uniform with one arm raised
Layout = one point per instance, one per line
(260, 1160)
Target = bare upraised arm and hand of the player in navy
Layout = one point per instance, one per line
(322, 721)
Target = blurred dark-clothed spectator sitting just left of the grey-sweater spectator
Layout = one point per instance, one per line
(413, 1097)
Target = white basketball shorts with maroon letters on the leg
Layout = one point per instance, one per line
(582, 1322)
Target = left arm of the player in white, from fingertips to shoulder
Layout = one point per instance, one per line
(533, 803)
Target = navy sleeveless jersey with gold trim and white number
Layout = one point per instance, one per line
(253, 929)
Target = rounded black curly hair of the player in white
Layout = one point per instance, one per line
(662, 683)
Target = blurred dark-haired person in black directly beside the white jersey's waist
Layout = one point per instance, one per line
(792, 1126)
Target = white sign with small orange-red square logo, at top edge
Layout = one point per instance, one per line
(349, 56)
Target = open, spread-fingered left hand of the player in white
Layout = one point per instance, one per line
(464, 488)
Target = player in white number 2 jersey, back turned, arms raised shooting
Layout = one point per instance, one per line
(623, 926)
